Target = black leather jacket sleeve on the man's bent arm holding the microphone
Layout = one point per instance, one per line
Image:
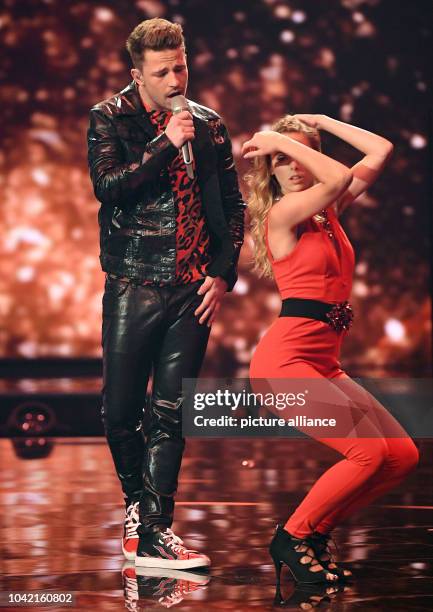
(114, 181)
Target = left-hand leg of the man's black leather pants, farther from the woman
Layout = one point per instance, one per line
(131, 326)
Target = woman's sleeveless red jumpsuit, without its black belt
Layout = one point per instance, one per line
(298, 347)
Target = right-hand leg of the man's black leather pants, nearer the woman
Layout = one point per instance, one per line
(179, 355)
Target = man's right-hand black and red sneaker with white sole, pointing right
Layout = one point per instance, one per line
(165, 549)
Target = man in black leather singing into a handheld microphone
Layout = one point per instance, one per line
(169, 247)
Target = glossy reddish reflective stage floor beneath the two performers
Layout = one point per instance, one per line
(61, 512)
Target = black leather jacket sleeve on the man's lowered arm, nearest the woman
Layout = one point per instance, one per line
(232, 201)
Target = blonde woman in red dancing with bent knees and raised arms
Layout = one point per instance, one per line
(297, 194)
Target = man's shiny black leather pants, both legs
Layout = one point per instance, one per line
(148, 328)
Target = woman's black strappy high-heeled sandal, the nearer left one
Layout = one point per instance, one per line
(299, 557)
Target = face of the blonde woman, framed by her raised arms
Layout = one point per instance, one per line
(290, 174)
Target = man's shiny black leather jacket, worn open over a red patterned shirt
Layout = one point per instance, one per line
(129, 171)
